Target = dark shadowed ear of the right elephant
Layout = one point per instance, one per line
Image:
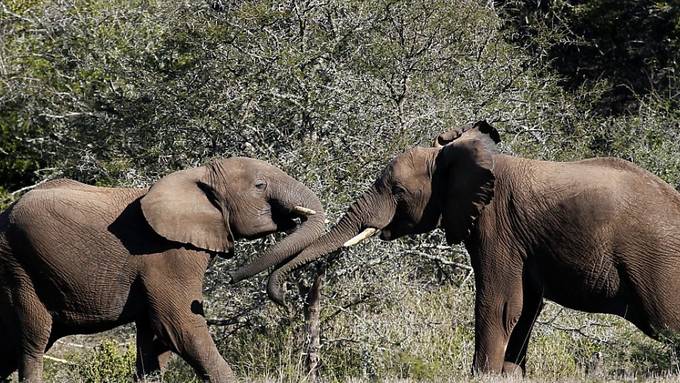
(468, 185)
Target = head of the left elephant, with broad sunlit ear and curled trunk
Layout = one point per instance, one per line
(211, 206)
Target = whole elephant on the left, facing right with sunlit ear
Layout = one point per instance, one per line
(78, 259)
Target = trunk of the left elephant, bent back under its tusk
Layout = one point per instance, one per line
(292, 200)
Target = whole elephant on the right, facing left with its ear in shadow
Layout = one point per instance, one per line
(599, 235)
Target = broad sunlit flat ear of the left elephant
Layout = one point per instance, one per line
(183, 208)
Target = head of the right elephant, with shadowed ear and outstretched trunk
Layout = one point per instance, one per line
(448, 184)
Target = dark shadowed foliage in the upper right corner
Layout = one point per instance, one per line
(630, 45)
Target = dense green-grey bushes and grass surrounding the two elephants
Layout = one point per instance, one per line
(120, 92)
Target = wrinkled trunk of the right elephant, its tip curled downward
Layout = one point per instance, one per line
(369, 211)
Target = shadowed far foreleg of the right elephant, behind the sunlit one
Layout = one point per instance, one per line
(515, 355)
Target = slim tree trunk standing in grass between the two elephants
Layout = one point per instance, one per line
(313, 327)
